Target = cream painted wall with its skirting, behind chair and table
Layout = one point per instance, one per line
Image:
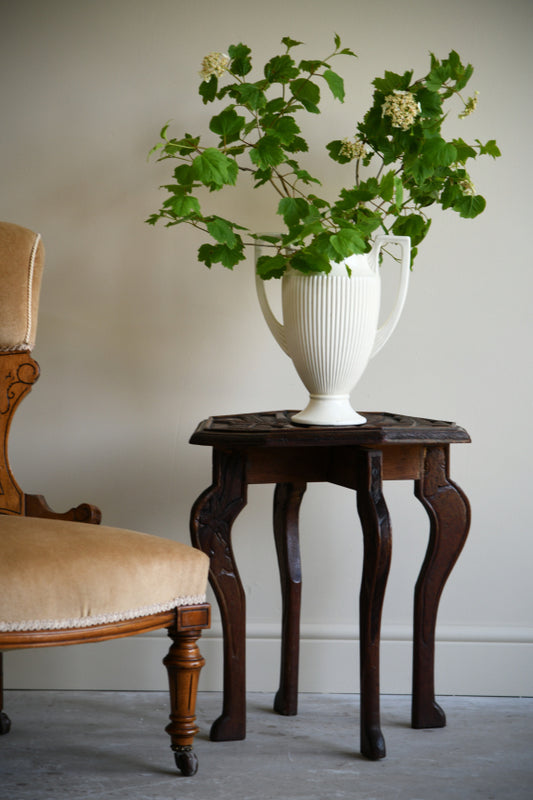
(138, 343)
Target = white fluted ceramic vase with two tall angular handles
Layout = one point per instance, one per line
(330, 328)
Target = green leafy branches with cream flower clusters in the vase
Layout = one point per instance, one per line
(259, 137)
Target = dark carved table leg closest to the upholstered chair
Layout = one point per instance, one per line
(212, 518)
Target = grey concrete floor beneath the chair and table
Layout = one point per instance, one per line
(74, 745)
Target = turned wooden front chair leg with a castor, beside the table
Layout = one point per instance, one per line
(183, 663)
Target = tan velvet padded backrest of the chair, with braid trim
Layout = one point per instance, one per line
(21, 266)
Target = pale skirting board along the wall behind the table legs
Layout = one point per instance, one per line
(469, 661)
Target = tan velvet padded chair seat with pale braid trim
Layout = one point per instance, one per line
(56, 575)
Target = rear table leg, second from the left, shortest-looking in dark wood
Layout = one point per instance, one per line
(287, 500)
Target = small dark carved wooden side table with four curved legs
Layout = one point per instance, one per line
(267, 448)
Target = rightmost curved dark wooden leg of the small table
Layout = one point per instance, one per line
(449, 514)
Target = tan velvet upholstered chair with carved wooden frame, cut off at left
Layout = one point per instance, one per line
(65, 579)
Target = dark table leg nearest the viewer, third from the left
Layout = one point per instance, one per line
(377, 538)
